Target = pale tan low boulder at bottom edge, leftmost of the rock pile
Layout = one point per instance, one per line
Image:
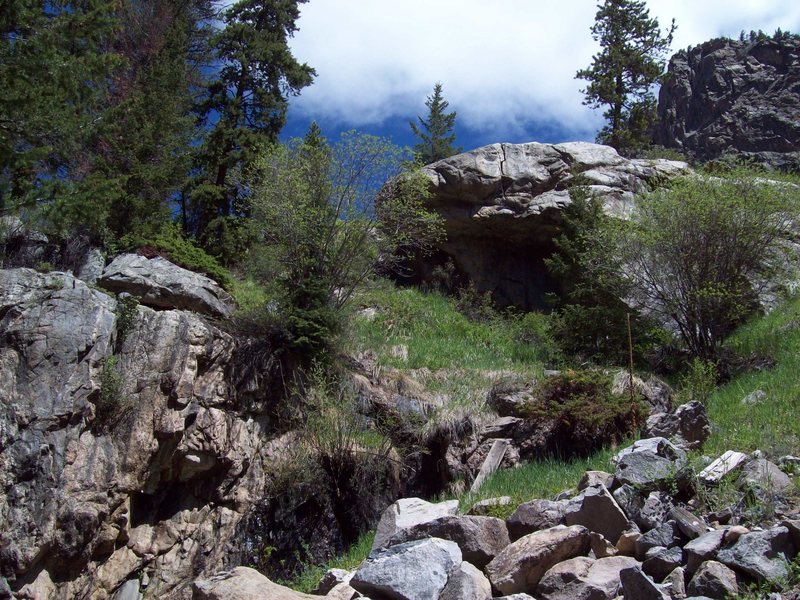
(243, 583)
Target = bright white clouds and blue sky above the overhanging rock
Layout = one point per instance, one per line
(507, 66)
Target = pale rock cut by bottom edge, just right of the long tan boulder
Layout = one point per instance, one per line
(583, 578)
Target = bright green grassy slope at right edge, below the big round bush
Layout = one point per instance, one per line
(772, 425)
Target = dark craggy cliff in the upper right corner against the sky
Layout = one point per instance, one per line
(741, 98)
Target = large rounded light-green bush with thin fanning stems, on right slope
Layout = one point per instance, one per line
(698, 253)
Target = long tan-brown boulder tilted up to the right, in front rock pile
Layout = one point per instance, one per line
(520, 567)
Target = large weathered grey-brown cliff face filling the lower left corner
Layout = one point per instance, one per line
(155, 486)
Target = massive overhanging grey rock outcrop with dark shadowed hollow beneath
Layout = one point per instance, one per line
(502, 205)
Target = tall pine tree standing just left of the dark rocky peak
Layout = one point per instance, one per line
(622, 75)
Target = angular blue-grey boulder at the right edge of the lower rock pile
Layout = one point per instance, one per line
(761, 554)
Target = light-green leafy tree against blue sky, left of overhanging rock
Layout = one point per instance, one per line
(315, 214)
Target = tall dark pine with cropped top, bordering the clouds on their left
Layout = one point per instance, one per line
(245, 106)
